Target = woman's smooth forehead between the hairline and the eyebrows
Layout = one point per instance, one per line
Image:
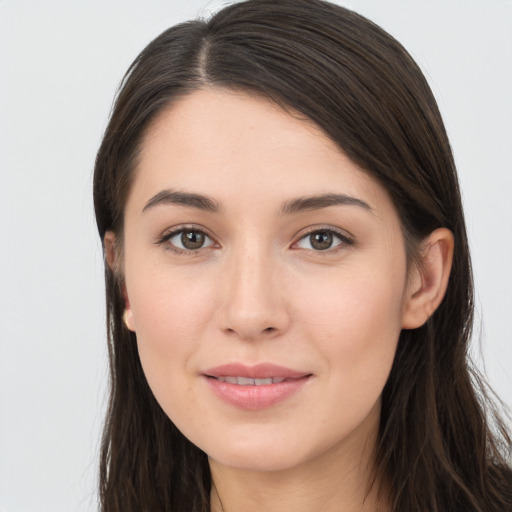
(229, 144)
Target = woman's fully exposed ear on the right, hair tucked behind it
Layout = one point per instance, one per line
(429, 279)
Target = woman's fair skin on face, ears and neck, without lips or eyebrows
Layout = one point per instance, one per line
(258, 290)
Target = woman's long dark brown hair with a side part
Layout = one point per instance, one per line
(441, 446)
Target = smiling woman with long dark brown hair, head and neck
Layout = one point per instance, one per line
(288, 280)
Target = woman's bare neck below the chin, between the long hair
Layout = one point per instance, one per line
(340, 479)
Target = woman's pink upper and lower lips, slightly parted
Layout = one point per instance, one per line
(255, 397)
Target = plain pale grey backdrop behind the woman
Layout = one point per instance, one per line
(60, 64)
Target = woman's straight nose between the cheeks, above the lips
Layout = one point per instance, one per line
(253, 303)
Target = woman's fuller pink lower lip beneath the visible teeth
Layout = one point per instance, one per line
(256, 397)
